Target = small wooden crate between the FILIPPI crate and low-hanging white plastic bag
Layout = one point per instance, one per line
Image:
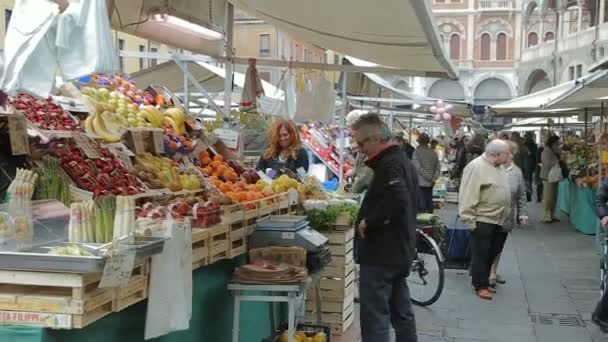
(135, 291)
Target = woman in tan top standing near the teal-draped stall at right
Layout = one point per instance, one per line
(551, 174)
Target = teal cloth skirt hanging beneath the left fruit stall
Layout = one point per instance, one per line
(212, 317)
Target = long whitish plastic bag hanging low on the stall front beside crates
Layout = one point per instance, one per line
(170, 293)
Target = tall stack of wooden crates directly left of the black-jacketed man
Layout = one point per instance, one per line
(337, 284)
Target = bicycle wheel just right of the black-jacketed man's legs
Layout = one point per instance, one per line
(426, 274)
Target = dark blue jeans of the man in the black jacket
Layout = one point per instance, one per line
(385, 299)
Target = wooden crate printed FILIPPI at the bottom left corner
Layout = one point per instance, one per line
(58, 300)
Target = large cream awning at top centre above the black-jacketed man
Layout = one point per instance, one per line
(396, 33)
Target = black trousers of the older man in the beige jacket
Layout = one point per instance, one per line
(484, 248)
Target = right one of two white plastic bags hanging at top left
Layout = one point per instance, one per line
(84, 40)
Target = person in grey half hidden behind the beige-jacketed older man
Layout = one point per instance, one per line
(518, 214)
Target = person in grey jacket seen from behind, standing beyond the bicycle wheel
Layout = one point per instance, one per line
(428, 168)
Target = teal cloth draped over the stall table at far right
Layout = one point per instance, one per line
(577, 203)
